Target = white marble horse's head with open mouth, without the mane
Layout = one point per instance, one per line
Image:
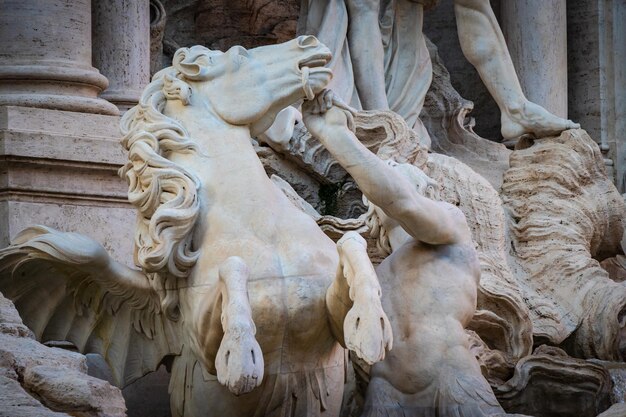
(249, 87)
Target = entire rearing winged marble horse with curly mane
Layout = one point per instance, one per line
(239, 291)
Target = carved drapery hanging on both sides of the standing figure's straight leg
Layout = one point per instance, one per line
(408, 70)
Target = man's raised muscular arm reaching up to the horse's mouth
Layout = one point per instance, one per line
(426, 220)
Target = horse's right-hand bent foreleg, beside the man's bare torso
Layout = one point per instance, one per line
(354, 300)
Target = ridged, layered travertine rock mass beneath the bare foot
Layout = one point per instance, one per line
(566, 216)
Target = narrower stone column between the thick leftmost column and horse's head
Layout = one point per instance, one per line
(121, 48)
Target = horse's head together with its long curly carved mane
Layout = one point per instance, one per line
(239, 87)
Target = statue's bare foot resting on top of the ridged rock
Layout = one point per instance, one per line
(531, 118)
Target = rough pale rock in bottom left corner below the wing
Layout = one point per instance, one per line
(39, 381)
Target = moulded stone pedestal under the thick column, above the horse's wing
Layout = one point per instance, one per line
(59, 169)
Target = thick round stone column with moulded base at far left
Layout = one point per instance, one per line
(45, 56)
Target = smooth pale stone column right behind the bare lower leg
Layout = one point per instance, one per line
(536, 34)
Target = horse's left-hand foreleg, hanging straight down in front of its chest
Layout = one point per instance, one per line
(239, 360)
